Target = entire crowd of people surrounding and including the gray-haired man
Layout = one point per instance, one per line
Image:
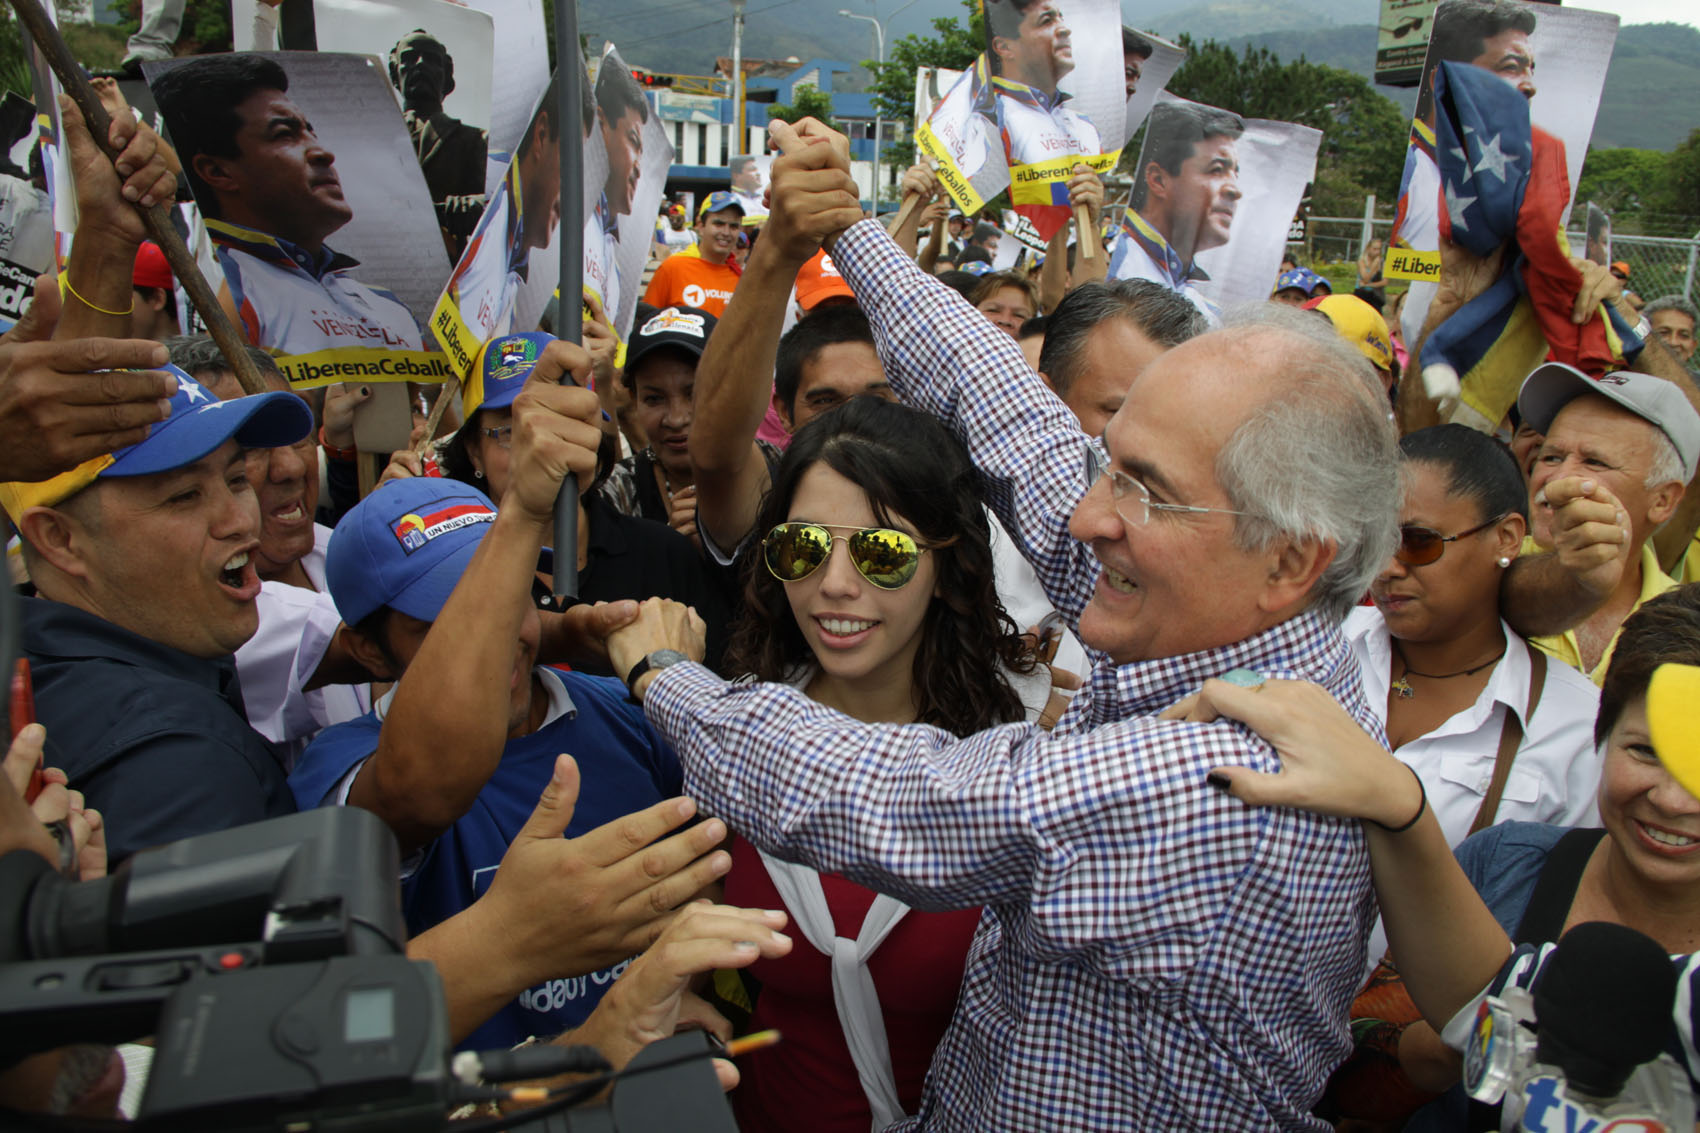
(1043, 702)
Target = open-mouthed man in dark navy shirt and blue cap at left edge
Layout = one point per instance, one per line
(142, 566)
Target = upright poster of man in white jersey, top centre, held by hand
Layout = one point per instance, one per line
(1060, 96)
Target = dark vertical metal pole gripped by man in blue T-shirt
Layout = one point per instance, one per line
(569, 117)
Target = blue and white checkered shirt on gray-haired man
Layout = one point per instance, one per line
(1155, 955)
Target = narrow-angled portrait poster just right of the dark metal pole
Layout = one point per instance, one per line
(640, 154)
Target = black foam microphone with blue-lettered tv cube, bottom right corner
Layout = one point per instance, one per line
(1584, 1052)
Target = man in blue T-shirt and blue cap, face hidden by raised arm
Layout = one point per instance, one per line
(434, 584)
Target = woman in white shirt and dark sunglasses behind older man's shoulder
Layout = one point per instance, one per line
(1493, 731)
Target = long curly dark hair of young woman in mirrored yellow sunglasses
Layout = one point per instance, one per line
(910, 469)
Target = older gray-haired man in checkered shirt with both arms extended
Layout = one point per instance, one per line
(1153, 955)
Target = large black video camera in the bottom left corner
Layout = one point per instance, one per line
(268, 962)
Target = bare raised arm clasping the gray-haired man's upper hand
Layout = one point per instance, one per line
(735, 379)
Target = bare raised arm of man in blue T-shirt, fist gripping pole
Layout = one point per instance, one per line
(448, 724)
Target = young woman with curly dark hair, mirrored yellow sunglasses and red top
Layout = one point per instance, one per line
(871, 589)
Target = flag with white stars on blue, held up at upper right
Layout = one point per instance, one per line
(1505, 186)
